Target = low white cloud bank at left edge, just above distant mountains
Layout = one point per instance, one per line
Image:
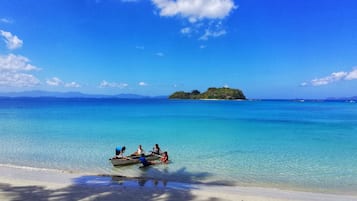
(12, 68)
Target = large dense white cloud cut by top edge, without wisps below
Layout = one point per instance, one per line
(195, 10)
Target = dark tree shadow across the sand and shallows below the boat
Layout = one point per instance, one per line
(178, 186)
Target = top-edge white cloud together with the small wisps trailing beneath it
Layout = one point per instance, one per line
(205, 16)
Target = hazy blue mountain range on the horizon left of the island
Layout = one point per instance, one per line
(33, 94)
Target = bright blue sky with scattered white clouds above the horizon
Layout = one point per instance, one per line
(266, 48)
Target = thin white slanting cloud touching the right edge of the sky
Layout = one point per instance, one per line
(333, 77)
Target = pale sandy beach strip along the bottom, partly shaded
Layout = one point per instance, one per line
(37, 184)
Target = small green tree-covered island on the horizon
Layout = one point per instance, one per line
(212, 93)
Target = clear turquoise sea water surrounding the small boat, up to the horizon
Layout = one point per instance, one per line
(295, 145)
